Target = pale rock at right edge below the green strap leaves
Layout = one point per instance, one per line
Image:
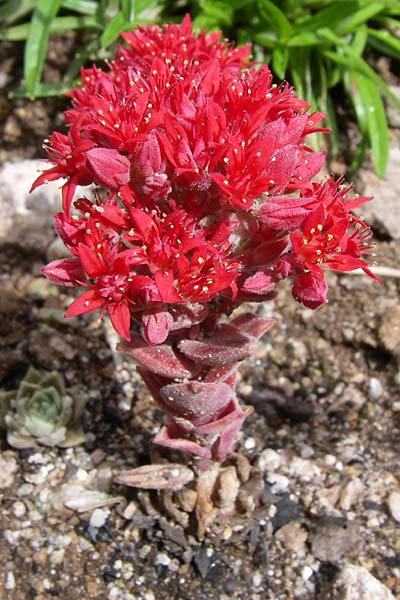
(384, 211)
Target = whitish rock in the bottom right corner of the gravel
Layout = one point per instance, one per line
(356, 583)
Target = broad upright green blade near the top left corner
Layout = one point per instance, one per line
(36, 44)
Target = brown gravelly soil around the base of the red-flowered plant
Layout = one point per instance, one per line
(322, 442)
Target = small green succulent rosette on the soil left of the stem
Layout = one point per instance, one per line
(41, 412)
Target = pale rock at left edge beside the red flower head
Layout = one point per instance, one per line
(26, 220)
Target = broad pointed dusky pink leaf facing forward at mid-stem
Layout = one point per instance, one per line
(195, 401)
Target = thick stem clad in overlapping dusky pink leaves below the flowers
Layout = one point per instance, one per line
(193, 381)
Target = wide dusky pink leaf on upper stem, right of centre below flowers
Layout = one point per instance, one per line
(226, 345)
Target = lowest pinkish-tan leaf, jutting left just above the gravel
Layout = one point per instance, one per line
(171, 476)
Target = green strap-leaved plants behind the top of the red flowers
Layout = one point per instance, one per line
(317, 45)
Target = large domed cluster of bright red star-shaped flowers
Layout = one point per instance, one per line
(205, 196)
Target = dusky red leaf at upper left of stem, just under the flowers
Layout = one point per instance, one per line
(161, 359)
